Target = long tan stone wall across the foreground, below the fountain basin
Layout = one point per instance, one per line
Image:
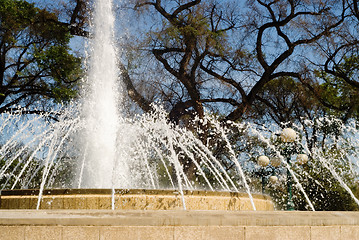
(223, 225)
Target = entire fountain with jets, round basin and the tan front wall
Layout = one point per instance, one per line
(95, 158)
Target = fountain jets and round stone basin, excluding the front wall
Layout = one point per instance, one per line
(96, 149)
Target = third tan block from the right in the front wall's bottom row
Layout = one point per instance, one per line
(277, 232)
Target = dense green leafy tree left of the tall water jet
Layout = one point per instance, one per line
(35, 59)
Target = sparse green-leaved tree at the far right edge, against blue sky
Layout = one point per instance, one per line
(334, 78)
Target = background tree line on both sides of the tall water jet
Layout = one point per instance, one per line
(264, 60)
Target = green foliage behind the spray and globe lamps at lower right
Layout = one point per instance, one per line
(330, 156)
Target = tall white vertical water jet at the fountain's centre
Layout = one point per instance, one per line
(101, 104)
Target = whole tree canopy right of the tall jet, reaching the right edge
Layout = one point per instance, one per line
(225, 55)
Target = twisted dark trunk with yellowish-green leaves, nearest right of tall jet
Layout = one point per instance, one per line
(192, 30)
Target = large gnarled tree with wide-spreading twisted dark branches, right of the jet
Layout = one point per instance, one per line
(238, 49)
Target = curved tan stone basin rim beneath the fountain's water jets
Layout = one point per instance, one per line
(132, 199)
